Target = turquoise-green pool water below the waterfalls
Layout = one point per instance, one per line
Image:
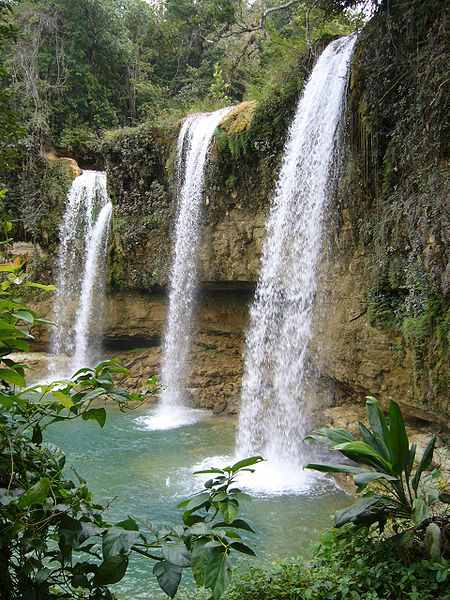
(146, 474)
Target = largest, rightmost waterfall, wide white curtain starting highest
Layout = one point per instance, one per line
(273, 412)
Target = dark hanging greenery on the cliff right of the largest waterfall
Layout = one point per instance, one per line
(398, 209)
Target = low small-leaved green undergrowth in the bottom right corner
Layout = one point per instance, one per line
(347, 565)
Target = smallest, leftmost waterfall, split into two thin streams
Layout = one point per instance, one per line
(80, 271)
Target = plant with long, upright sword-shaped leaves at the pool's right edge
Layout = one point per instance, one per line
(383, 467)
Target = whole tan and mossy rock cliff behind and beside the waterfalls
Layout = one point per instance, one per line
(382, 319)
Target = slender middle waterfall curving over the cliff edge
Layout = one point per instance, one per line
(192, 153)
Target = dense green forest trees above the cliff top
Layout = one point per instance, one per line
(78, 68)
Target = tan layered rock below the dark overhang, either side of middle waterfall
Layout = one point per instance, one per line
(216, 359)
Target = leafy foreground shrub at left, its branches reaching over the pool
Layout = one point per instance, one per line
(55, 541)
